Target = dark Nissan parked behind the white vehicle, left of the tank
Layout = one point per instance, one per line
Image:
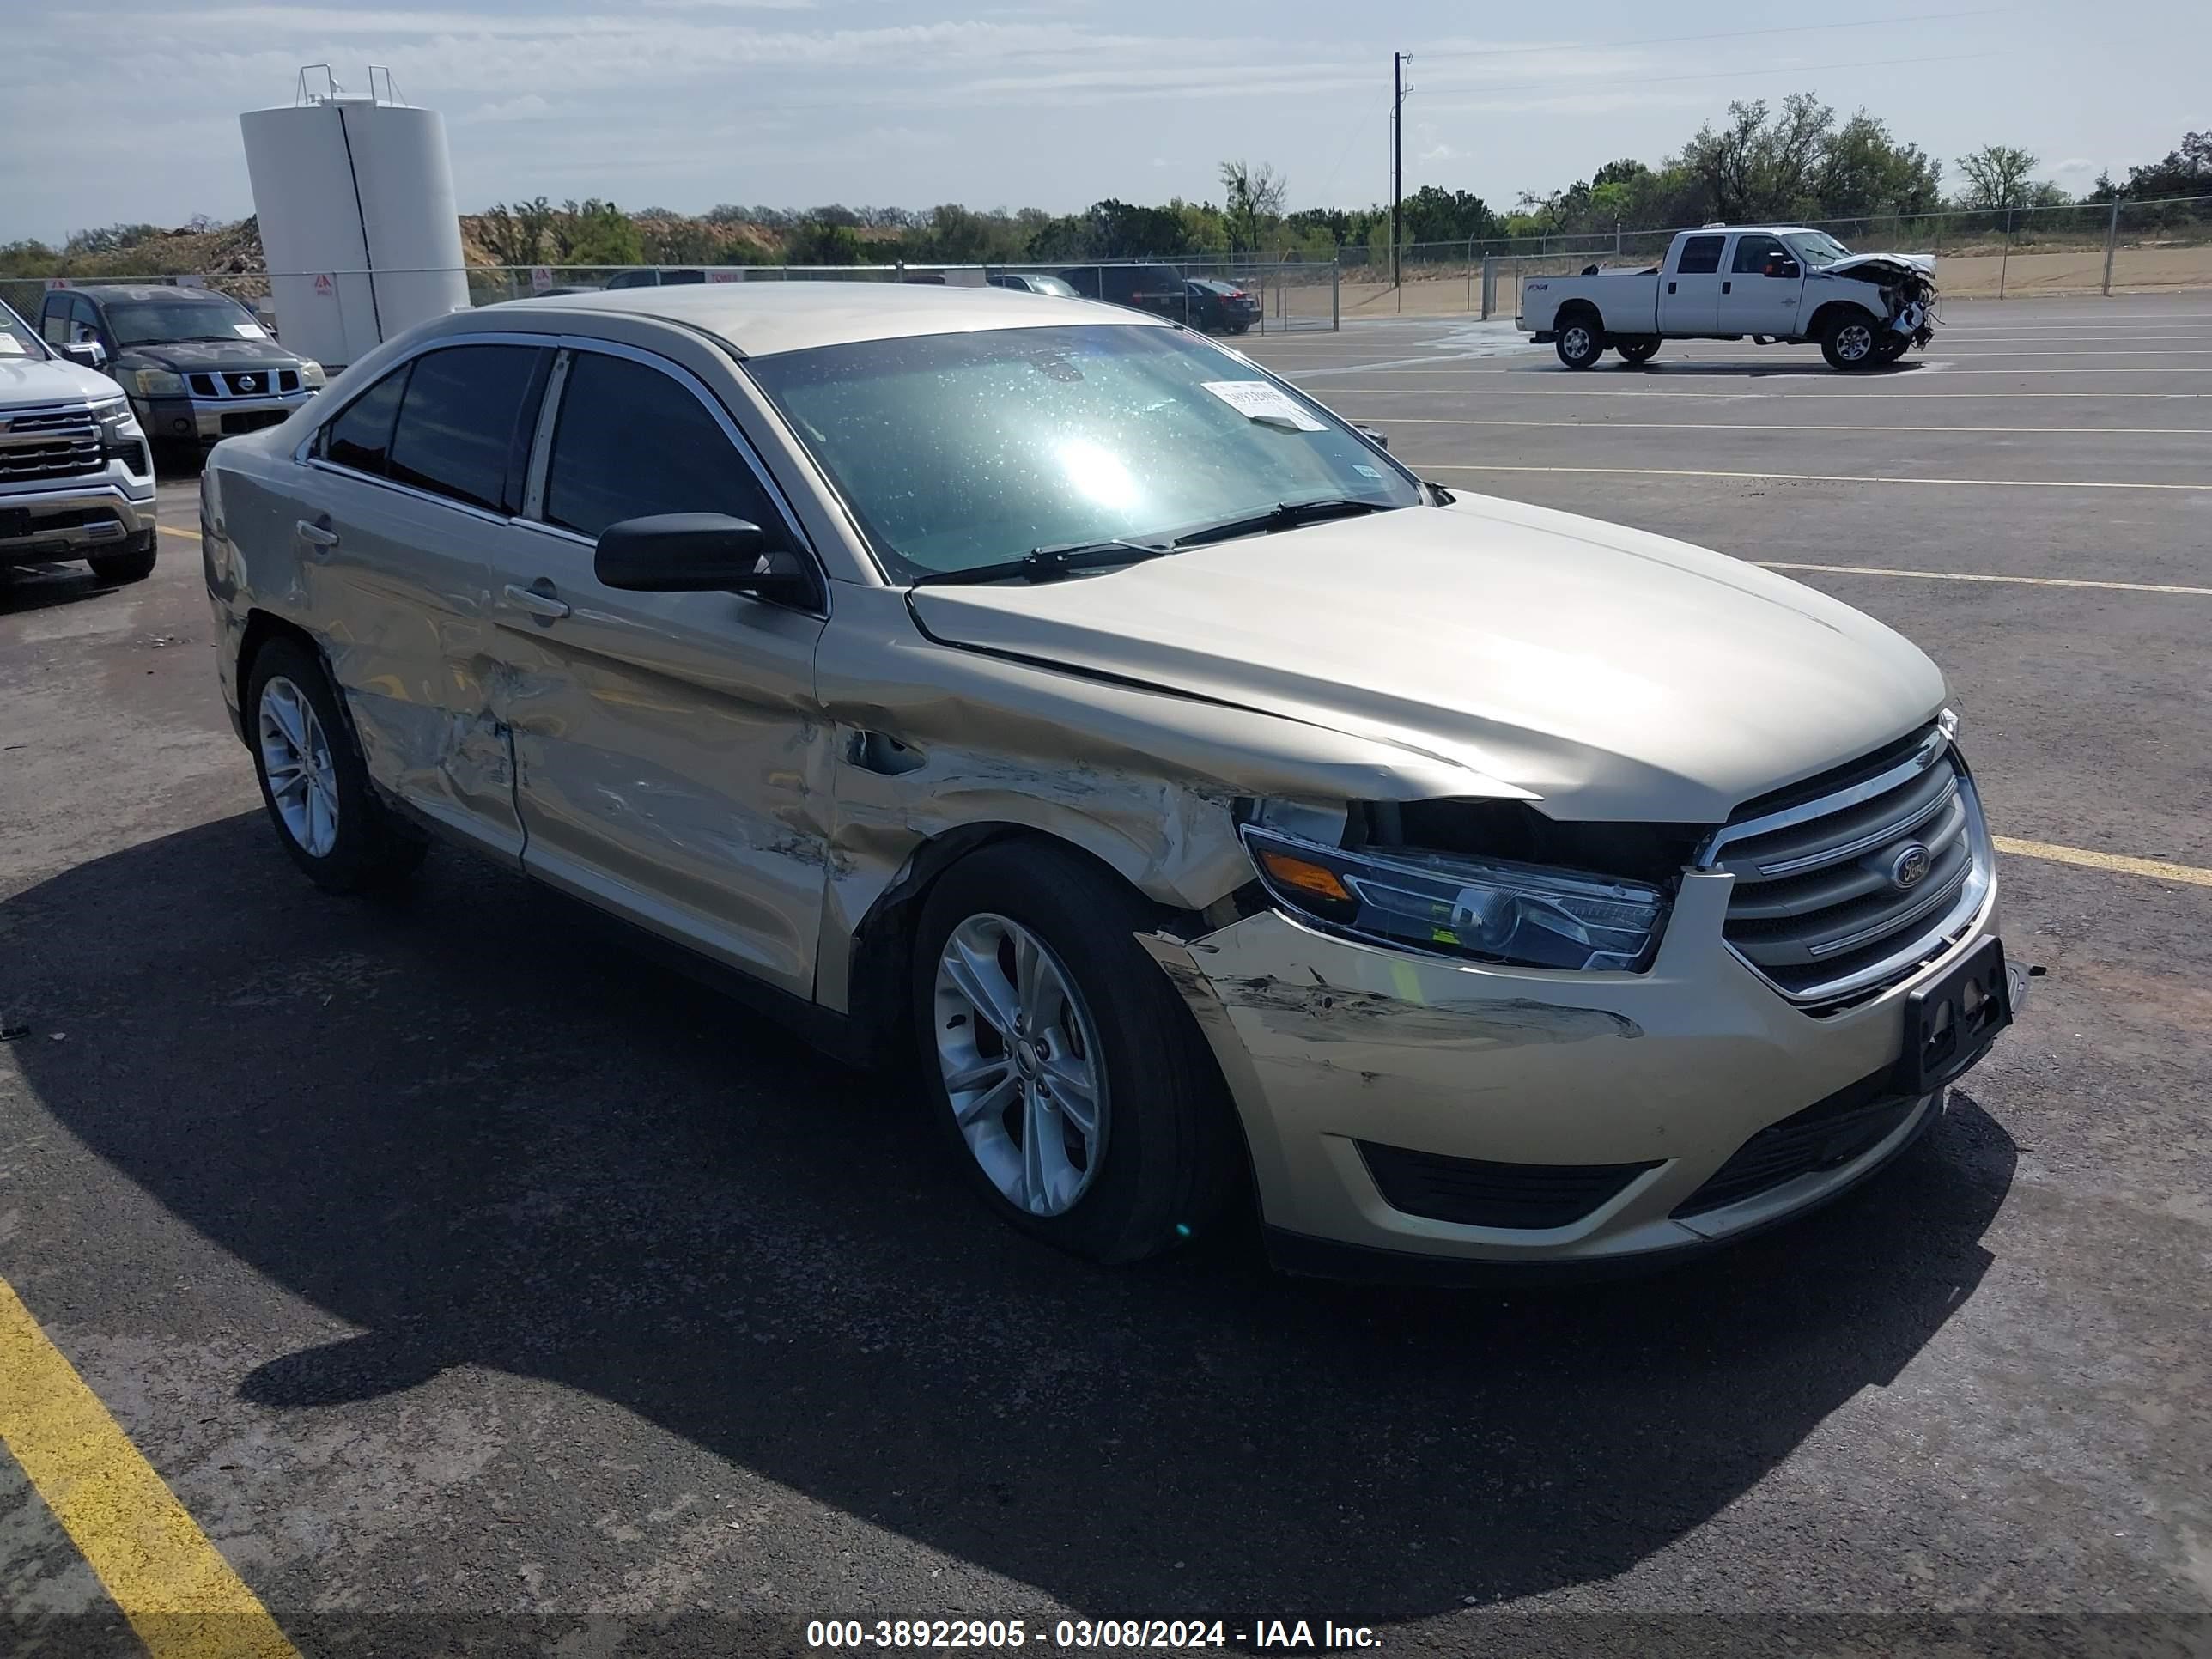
(198, 366)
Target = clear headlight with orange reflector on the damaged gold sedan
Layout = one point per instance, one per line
(1479, 908)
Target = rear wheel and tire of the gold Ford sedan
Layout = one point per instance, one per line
(326, 815)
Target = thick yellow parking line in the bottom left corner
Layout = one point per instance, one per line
(152, 1556)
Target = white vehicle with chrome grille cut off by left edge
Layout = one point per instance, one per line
(76, 479)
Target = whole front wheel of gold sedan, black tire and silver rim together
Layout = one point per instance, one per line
(1158, 1162)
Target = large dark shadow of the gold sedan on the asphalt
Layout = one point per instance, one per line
(481, 1134)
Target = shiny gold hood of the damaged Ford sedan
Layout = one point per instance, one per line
(1611, 674)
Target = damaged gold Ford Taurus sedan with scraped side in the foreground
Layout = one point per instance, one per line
(1050, 700)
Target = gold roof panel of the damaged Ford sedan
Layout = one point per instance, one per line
(766, 317)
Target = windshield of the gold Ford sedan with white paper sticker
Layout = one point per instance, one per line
(961, 450)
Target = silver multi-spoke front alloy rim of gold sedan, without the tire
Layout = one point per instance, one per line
(1021, 1063)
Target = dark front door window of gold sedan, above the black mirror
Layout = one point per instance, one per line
(634, 441)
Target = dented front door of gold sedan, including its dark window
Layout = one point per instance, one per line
(671, 764)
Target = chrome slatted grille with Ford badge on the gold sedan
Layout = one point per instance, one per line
(1855, 888)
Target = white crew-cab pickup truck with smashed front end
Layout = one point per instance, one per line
(1733, 282)
